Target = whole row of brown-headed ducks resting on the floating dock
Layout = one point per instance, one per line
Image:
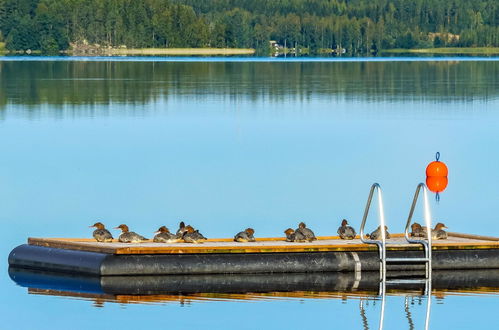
(187, 234)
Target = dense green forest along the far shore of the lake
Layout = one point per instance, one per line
(361, 27)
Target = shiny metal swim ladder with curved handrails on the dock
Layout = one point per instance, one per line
(426, 243)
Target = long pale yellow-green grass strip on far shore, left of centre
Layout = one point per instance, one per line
(179, 51)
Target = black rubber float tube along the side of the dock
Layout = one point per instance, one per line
(82, 262)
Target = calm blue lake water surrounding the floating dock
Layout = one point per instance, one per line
(231, 145)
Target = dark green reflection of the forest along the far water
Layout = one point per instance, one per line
(106, 82)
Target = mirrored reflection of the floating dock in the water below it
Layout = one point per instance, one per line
(185, 289)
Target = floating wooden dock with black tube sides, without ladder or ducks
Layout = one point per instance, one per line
(266, 255)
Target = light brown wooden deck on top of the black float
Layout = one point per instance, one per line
(262, 245)
